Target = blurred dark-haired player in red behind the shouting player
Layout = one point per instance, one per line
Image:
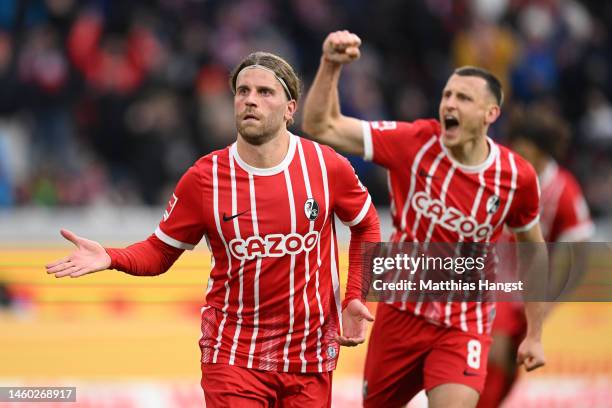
(538, 136)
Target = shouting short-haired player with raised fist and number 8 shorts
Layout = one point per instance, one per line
(435, 168)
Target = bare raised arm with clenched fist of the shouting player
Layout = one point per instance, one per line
(323, 120)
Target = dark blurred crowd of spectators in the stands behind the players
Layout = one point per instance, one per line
(109, 102)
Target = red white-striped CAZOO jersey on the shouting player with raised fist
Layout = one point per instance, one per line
(434, 198)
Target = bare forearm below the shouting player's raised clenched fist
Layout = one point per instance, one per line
(322, 103)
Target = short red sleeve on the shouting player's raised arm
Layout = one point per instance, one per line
(394, 144)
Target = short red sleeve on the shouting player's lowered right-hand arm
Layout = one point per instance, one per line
(525, 207)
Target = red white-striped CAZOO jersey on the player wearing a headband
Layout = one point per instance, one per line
(272, 301)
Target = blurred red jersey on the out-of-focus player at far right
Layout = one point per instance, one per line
(564, 216)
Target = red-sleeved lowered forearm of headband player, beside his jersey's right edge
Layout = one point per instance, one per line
(366, 231)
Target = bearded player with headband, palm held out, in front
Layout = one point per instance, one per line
(266, 206)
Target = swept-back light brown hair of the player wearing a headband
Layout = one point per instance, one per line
(281, 68)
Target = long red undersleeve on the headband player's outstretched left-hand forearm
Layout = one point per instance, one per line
(146, 258)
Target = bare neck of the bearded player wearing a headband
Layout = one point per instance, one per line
(269, 154)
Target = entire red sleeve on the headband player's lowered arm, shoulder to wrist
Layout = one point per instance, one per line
(353, 205)
